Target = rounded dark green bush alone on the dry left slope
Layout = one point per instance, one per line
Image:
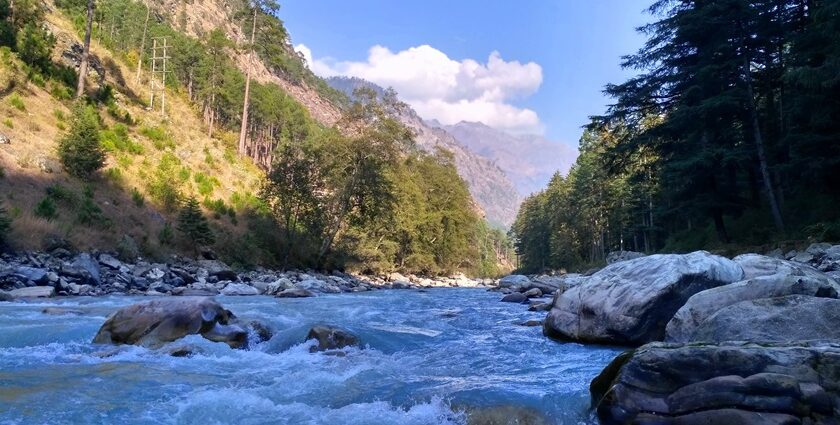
(80, 150)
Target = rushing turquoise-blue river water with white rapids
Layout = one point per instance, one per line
(427, 355)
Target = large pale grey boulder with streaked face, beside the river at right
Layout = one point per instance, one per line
(631, 302)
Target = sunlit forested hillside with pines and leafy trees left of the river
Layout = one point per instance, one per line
(351, 194)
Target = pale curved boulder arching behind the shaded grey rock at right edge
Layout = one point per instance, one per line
(685, 324)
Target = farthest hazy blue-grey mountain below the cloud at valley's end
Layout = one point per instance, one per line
(528, 160)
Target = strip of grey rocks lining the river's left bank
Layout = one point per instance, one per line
(60, 273)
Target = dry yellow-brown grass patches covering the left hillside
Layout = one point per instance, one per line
(36, 130)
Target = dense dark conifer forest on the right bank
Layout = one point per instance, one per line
(729, 135)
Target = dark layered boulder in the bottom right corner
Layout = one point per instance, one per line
(731, 383)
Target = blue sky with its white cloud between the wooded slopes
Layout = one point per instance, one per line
(577, 45)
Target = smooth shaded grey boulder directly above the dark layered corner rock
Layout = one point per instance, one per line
(781, 319)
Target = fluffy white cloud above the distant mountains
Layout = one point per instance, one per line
(445, 89)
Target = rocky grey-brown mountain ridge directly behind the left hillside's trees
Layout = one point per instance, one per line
(491, 188)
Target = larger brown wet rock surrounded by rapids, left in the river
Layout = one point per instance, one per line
(157, 322)
